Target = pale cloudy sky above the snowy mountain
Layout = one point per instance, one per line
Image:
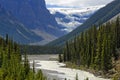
(75, 3)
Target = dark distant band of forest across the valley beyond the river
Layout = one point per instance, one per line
(34, 49)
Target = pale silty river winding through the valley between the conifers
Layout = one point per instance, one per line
(55, 70)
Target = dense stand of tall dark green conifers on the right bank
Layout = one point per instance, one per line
(95, 48)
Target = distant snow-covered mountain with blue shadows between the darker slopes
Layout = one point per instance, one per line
(70, 18)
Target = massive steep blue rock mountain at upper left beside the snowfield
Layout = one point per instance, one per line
(35, 16)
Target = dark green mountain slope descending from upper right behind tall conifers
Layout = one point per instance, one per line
(100, 17)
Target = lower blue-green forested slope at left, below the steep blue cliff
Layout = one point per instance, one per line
(16, 30)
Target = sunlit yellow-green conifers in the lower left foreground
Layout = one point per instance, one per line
(12, 67)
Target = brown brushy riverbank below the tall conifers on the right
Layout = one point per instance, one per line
(113, 73)
